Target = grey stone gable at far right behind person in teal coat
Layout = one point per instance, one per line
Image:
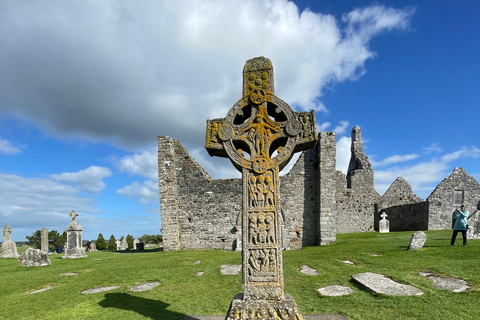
(442, 203)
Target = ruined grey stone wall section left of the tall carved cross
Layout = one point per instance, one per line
(197, 211)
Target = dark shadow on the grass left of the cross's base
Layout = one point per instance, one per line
(151, 309)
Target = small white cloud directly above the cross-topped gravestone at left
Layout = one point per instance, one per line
(89, 179)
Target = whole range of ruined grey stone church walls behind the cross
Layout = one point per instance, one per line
(199, 212)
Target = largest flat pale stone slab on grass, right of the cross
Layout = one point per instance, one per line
(380, 284)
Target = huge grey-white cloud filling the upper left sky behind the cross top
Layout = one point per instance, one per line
(123, 73)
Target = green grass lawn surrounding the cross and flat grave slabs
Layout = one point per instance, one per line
(182, 292)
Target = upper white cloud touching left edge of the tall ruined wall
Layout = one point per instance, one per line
(144, 163)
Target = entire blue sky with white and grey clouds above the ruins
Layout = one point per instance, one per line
(86, 88)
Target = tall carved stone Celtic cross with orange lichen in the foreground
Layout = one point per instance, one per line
(259, 135)
